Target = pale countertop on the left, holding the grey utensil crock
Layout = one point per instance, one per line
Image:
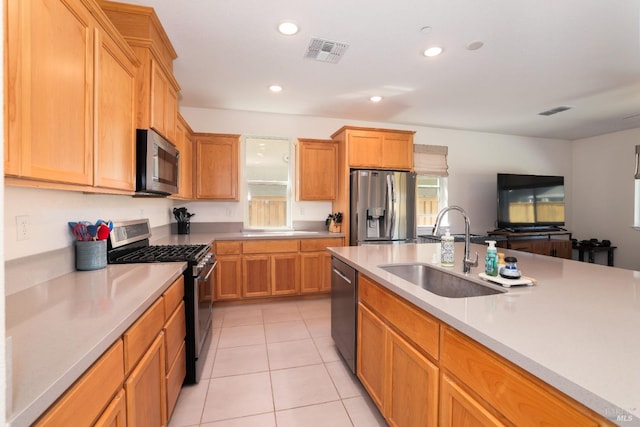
(57, 329)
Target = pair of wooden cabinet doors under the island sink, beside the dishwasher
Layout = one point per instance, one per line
(402, 382)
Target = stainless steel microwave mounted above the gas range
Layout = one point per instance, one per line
(156, 164)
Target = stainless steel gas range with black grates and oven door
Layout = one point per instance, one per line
(129, 243)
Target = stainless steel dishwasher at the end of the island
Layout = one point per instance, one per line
(344, 309)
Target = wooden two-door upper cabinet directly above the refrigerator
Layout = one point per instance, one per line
(376, 148)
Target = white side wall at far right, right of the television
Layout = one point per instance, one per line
(603, 193)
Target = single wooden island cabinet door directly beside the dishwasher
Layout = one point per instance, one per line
(372, 336)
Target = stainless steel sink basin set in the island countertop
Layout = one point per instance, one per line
(440, 282)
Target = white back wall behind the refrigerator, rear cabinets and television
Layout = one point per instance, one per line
(474, 159)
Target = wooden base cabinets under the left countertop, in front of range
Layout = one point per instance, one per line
(137, 381)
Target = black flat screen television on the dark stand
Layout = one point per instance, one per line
(530, 202)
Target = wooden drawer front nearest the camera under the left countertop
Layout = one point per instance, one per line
(88, 397)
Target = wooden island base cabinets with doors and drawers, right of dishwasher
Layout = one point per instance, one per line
(457, 382)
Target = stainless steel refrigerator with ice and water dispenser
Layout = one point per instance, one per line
(383, 207)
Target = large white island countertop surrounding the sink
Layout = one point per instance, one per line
(576, 329)
